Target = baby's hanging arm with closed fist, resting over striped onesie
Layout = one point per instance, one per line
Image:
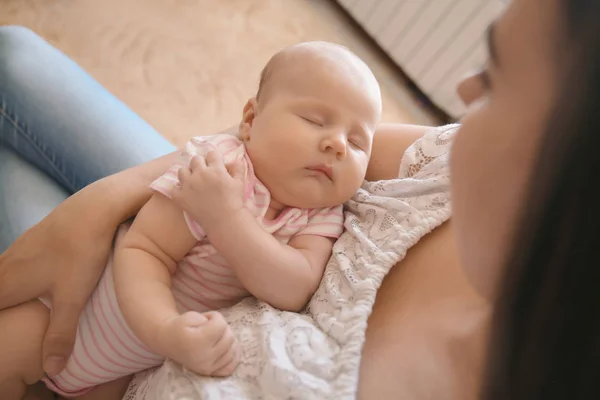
(144, 262)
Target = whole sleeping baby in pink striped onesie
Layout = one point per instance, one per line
(265, 225)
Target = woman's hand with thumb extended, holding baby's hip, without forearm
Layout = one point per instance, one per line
(61, 259)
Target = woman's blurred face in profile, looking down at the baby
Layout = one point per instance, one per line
(494, 151)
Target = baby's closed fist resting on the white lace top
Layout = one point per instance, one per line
(203, 343)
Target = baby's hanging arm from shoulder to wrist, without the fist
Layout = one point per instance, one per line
(144, 263)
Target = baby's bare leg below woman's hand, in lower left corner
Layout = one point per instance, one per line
(22, 331)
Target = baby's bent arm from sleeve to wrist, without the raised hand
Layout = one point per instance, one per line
(285, 276)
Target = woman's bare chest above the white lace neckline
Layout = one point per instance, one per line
(427, 316)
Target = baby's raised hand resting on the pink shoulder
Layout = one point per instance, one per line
(209, 190)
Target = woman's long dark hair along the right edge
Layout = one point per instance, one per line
(546, 330)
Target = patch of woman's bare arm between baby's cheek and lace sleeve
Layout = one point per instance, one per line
(389, 144)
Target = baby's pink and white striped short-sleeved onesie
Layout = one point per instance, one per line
(106, 349)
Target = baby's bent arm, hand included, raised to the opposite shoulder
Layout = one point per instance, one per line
(285, 276)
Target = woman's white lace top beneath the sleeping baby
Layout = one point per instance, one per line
(316, 354)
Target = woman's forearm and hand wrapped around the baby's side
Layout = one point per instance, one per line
(63, 255)
